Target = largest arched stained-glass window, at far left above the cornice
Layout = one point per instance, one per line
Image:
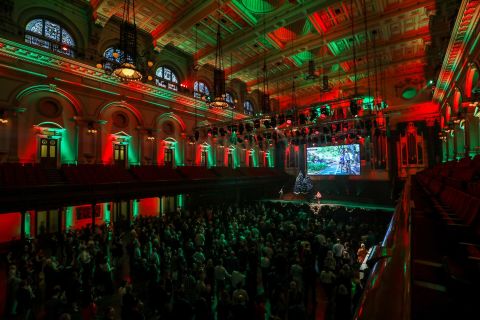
(50, 35)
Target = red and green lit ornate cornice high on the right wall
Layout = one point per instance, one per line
(467, 19)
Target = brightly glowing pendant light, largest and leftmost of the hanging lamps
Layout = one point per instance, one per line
(127, 70)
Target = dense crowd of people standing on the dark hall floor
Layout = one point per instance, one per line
(247, 261)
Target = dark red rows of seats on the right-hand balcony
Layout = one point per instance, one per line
(452, 192)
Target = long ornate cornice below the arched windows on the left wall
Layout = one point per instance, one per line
(34, 56)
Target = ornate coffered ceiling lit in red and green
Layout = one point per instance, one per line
(391, 37)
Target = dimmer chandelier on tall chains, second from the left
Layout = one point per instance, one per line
(219, 94)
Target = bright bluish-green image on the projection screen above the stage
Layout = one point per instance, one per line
(334, 160)
